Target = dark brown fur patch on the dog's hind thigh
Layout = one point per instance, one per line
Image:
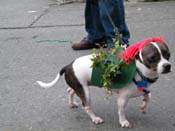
(73, 82)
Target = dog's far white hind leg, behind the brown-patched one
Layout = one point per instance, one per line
(71, 93)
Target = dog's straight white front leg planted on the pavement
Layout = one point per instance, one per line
(122, 102)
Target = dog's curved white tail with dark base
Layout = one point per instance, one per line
(50, 84)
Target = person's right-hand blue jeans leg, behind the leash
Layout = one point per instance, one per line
(115, 9)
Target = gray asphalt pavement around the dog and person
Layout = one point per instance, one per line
(35, 43)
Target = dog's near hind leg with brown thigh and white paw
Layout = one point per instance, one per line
(82, 91)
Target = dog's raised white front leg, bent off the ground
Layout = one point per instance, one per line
(145, 103)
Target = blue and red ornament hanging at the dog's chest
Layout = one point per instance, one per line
(142, 85)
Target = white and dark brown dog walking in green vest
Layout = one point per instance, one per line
(151, 61)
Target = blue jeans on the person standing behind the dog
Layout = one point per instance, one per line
(98, 25)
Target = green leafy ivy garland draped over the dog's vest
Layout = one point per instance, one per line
(102, 57)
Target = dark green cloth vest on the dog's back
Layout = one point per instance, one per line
(118, 82)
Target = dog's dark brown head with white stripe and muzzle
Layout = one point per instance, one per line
(153, 59)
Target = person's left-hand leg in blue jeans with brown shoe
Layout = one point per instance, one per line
(93, 28)
